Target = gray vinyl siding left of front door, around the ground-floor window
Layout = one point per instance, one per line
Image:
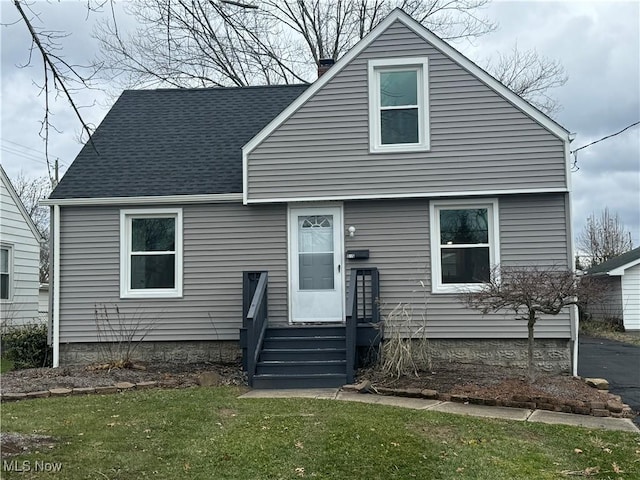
(220, 241)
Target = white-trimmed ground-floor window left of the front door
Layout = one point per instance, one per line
(151, 253)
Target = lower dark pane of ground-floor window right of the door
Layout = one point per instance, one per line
(465, 265)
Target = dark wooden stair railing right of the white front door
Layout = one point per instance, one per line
(362, 307)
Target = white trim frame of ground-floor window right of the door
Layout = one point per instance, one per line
(491, 204)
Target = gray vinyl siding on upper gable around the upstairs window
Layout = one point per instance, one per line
(479, 141)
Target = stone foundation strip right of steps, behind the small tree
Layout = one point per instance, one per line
(550, 355)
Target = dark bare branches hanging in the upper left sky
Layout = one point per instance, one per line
(60, 77)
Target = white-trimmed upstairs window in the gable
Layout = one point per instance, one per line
(399, 105)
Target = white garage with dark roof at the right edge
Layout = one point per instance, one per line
(620, 279)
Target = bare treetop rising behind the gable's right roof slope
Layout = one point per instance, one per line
(531, 76)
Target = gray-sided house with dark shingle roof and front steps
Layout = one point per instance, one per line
(290, 219)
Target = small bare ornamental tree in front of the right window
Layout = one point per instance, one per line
(531, 292)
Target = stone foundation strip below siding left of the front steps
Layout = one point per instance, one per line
(213, 351)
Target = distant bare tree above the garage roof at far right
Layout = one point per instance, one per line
(603, 237)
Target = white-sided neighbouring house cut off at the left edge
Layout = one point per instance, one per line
(19, 259)
